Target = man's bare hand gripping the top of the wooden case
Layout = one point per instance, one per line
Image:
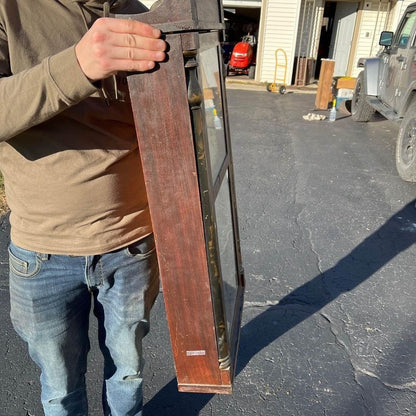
(113, 45)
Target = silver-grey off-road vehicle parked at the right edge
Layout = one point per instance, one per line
(387, 84)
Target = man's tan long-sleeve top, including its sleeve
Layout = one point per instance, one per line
(70, 161)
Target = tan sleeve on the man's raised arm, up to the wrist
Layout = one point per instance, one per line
(37, 94)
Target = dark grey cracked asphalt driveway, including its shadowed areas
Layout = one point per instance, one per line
(327, 236)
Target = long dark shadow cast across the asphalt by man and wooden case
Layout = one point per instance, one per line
(392, 238)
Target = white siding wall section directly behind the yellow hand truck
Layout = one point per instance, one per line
(281, 19)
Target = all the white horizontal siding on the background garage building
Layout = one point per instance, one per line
(280, 28)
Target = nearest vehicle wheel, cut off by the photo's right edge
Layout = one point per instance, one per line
(406, 145)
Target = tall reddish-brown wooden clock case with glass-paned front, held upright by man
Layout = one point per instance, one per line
(181, 119)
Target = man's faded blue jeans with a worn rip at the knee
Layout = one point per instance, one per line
(51, 297)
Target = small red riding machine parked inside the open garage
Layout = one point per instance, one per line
(243, 58)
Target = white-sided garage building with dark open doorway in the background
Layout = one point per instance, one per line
(315, 29)
